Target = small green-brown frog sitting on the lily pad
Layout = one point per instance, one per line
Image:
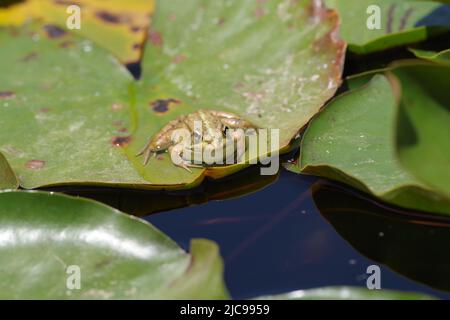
(207, 129)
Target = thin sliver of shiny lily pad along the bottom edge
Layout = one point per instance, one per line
(347, 293)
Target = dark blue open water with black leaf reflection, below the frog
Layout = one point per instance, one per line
(276, 240)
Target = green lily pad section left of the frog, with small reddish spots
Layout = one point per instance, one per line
(64, 111)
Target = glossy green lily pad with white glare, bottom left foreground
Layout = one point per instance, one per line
(47, 238)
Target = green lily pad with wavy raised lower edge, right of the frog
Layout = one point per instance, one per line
(353, 141)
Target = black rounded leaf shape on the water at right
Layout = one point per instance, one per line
(411, 243)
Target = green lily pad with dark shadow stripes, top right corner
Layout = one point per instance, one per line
(399, 23)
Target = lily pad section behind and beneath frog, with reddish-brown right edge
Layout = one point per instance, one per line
(273, 63)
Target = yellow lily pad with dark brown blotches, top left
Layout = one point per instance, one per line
(116, 25)
